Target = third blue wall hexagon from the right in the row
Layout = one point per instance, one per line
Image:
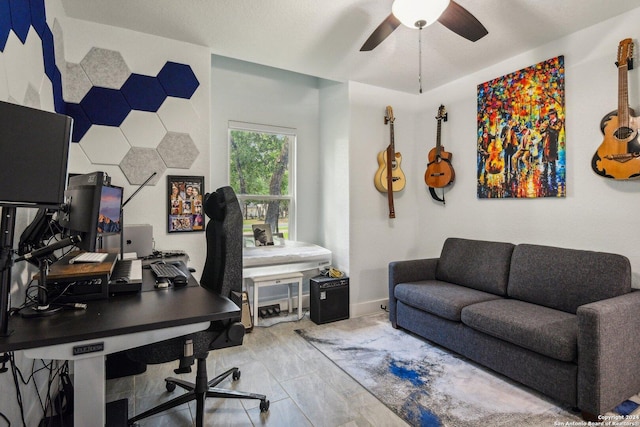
(105, 106)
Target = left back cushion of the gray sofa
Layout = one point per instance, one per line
(475, 264)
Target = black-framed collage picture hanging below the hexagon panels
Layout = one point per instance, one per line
(184, 203)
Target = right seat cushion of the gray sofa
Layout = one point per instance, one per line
(550, 332)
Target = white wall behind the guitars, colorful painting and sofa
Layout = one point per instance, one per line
(597, 213)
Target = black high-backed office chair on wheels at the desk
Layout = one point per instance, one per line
(222, 274)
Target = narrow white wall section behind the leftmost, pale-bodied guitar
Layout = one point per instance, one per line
(376, 239)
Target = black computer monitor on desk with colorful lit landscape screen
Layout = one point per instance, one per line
(93, 210)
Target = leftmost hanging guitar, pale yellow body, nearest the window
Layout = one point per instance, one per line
(389, 177)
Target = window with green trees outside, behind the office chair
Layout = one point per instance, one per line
(262, 173)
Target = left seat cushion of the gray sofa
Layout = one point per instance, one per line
(440, 298)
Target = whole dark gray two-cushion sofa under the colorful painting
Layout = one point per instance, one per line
(564, 322)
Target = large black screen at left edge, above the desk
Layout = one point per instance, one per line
(34, 147)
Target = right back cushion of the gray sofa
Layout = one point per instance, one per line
(565, 279)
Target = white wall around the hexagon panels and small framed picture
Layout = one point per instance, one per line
(146, 54)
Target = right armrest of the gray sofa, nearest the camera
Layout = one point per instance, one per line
(608, 352)
